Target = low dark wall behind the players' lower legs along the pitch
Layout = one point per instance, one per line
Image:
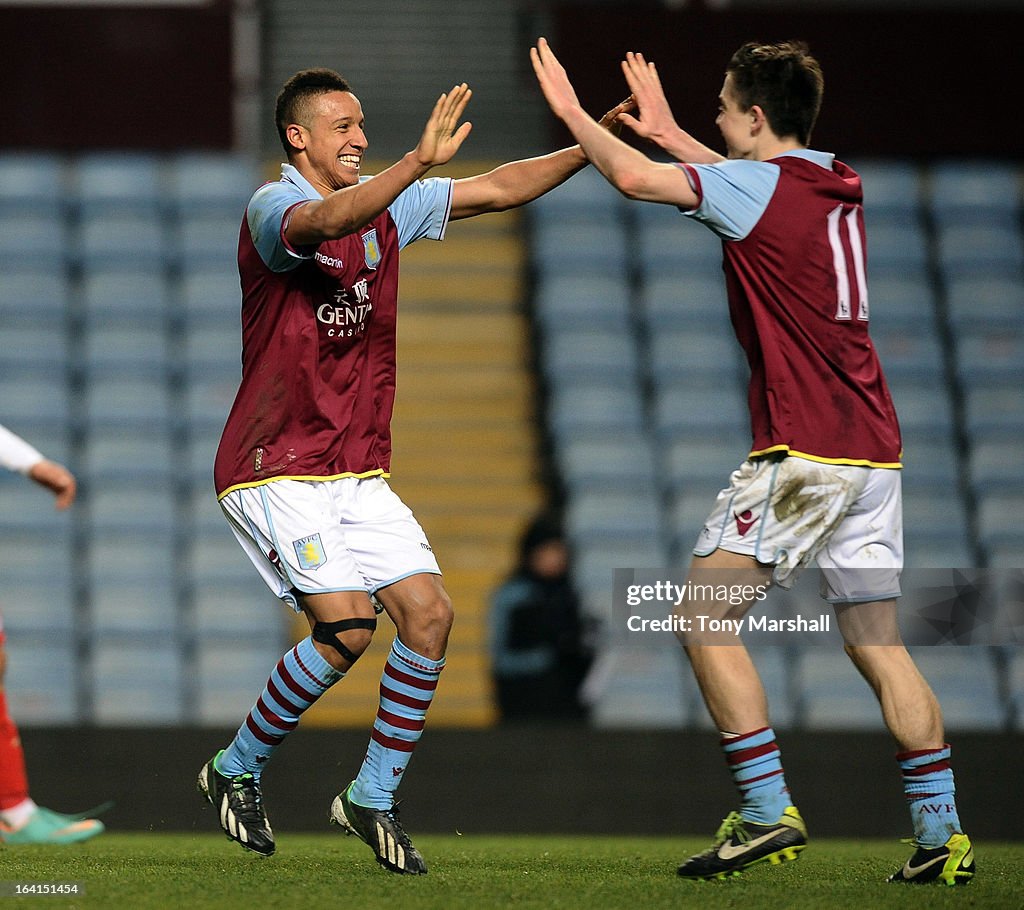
(533, 779)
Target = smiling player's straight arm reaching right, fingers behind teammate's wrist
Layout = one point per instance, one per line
(519, 183)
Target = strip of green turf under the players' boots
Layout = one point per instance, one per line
(143, 872)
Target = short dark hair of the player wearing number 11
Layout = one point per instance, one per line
(785, 81)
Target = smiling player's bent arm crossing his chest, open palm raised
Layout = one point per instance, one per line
(350, 209)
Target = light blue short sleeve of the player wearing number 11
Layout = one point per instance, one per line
(734, 195)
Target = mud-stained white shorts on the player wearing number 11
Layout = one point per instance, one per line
(788, 512)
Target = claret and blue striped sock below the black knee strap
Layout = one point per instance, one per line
(301, 678)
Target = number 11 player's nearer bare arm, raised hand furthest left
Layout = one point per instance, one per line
(629, 171)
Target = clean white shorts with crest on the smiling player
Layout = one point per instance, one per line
(323, 537)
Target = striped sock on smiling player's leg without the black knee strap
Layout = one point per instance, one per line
(408, 686)
